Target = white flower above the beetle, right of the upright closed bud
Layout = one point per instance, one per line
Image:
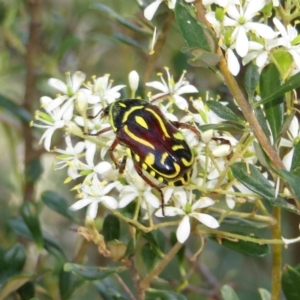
(173, 89)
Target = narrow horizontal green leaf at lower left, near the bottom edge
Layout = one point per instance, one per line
(89, 272)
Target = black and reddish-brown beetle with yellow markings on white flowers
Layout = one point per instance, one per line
(156, 144)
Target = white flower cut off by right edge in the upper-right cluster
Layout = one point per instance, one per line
(288, 35)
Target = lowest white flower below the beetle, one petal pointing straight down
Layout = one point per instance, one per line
(188, 210)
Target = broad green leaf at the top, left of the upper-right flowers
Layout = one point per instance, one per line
(193, 33)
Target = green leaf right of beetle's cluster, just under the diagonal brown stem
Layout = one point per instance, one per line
(253, 180)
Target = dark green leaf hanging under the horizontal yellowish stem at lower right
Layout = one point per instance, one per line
(244, 247)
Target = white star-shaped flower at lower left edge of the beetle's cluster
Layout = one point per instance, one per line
(95, 194)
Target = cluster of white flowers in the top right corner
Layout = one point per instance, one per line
(244, 32)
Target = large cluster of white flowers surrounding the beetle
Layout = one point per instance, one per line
(86, 158)
